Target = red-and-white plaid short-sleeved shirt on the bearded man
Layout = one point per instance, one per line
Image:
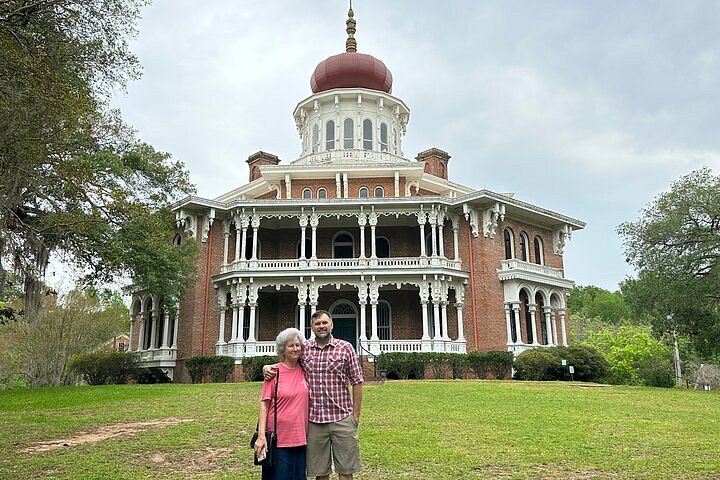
(329, 370)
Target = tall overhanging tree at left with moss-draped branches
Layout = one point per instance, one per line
(74, 180)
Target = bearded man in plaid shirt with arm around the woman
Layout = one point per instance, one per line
(330, 365)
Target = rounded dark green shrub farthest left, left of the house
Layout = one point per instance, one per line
(102, 368)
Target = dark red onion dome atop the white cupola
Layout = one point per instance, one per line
(351, 70)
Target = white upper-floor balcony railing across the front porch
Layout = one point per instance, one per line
(294, 265)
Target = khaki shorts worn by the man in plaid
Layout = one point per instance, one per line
(339, 439)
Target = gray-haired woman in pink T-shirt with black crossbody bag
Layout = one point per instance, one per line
(292, 410)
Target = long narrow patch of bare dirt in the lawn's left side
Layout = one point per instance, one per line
(101, 433)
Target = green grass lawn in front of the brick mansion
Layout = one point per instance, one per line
(409, 430)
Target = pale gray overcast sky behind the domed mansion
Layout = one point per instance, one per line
(589, 109)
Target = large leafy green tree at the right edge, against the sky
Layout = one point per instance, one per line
(675, 246)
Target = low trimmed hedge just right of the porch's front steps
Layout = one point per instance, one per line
(417, 365)
